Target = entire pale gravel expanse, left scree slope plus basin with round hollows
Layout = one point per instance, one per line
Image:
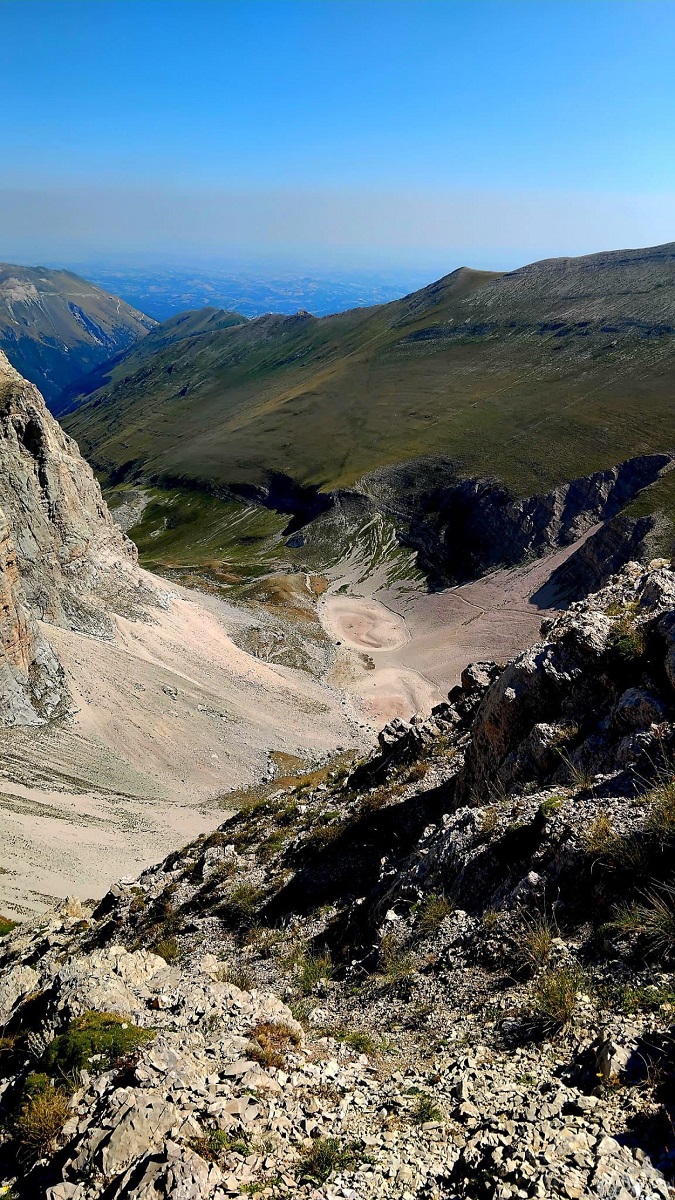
(172, 715)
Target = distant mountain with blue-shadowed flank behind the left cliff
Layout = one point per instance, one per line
(56, 327)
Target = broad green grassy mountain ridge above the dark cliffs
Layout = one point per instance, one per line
(536, 377)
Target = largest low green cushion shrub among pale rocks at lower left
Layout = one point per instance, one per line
(103, 1036)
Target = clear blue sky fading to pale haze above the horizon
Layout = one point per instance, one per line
(343, 131)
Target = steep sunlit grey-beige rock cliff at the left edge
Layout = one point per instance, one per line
(63, 561)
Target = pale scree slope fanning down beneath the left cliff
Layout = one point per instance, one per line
(171, 716)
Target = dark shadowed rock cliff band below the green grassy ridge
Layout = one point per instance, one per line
(461, 529)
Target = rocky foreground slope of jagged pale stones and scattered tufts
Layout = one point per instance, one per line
(443, 971)
